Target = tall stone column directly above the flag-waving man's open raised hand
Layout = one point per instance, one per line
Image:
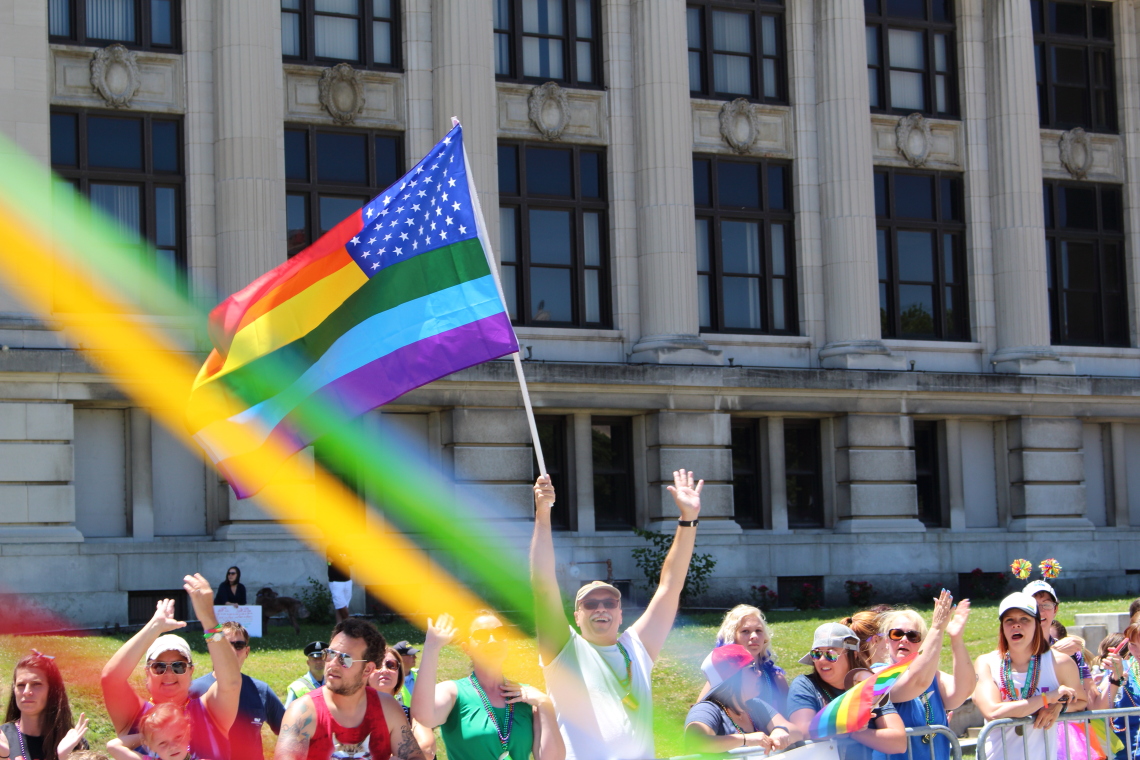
(666, 235)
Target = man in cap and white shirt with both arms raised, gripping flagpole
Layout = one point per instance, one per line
(599, 680)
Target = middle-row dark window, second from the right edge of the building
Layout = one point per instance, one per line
(922, 256)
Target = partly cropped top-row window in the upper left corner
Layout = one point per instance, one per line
(139, 24)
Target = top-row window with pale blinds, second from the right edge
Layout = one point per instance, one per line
(910, 58)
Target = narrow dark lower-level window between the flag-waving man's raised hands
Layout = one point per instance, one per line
(614, 473)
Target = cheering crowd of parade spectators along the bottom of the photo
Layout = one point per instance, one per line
(361, 698)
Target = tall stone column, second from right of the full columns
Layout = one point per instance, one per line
(851, 279)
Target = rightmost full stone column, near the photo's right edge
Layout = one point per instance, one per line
(1021, 289)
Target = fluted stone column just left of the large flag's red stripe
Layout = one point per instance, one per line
(249, 160)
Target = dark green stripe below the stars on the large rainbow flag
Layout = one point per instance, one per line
(401, 283)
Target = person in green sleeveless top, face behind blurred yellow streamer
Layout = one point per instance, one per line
(484, 716)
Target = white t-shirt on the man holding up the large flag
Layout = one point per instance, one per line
(583, 683)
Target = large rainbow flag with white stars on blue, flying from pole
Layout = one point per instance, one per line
(397, 296)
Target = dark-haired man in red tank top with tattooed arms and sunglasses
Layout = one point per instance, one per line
(346, 717)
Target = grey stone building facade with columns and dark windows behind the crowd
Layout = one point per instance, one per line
(869, 269)
